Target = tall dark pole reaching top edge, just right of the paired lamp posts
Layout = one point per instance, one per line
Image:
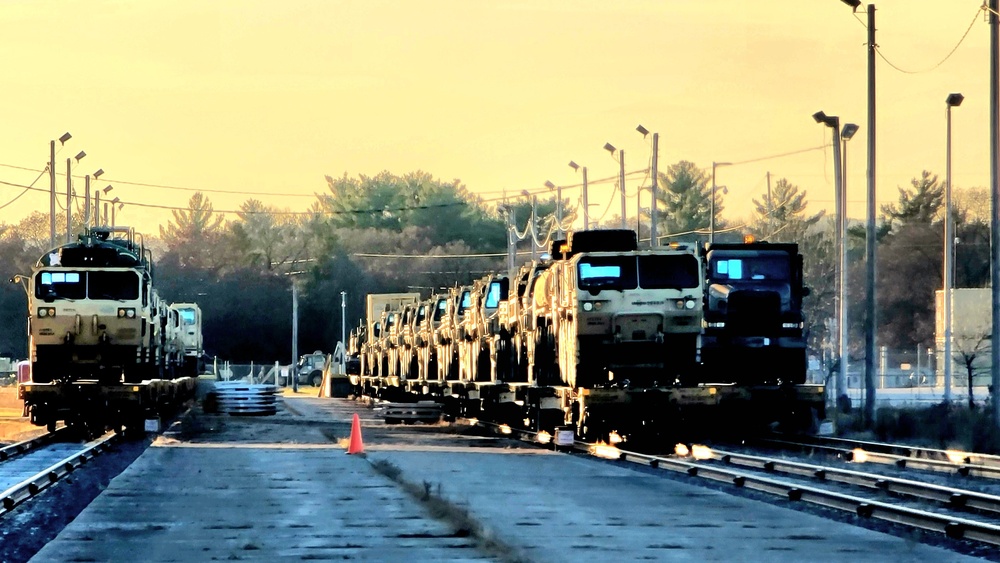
(870, 314)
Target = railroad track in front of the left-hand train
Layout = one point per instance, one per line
(30, 467)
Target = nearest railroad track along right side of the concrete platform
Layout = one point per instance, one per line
(922, 507)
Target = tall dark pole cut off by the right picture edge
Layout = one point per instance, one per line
(994, 215)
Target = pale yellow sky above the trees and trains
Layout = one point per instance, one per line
(257, 98)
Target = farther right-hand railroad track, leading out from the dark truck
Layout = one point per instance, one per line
(957, 462)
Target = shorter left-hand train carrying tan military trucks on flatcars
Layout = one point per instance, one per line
(105, 349)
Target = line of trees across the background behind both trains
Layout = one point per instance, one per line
(414, 232)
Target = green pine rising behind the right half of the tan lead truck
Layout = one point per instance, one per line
(686, 201)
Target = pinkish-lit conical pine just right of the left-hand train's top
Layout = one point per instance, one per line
(194, 234)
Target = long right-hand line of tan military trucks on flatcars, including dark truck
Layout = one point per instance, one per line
(613, 341)
